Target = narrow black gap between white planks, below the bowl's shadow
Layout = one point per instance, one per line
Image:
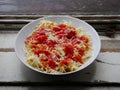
(65, 83)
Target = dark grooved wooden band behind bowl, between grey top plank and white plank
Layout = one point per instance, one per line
(101, 23)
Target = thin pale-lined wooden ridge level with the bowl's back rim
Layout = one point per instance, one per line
(86, 17)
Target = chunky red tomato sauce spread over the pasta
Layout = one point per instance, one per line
(41, 44)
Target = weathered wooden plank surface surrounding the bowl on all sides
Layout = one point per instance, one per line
(103, 73)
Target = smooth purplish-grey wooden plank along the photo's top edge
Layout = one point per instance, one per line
(59, 7)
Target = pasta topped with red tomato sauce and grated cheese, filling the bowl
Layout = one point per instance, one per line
(57, 47)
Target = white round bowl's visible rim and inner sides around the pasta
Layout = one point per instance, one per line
(27, 29)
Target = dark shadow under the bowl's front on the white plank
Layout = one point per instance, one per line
(85, 75)
